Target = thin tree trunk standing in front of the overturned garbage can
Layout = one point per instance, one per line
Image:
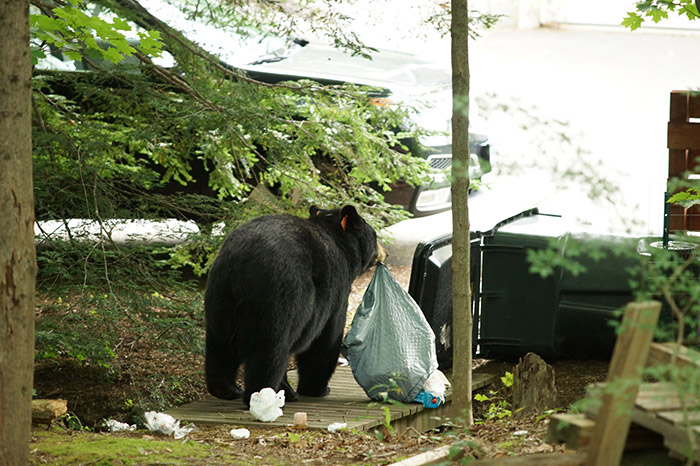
(461, 292)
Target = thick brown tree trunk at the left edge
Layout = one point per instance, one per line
(17, 254)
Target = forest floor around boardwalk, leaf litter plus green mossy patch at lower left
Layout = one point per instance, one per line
(92, 397)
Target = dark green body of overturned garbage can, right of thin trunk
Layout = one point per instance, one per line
(564, 313)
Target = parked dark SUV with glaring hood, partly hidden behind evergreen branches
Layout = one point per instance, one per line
(405, 78)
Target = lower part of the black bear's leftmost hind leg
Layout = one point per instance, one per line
(221, 370)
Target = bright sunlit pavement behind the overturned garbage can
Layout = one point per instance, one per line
(572, 112)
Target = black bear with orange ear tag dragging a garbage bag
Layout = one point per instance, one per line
(279, 287)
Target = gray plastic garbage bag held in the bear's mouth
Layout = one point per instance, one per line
(390, 345)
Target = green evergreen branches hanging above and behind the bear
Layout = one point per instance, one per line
(139, 140)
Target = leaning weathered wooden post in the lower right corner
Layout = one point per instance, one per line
(624, 375)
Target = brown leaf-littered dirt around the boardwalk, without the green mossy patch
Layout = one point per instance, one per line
(92, 396)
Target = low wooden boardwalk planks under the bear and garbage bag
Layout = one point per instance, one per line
(347, 403)
